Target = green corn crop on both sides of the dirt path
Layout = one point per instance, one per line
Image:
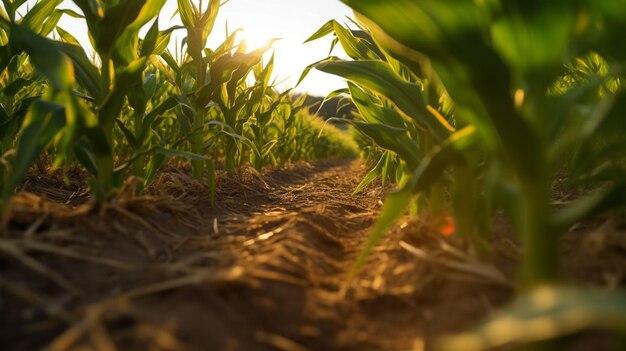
(470, 107)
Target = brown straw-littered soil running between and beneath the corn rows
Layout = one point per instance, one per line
(266, 268)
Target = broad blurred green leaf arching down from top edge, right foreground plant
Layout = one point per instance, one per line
(452, 35)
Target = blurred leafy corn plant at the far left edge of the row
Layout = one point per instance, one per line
(42, 115)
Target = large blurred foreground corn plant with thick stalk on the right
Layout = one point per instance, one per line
(499, 62)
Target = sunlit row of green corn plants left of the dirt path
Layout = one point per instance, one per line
(135, 104)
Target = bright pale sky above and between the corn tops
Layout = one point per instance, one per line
(291, 20)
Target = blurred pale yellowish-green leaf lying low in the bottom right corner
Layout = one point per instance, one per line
(542, 314)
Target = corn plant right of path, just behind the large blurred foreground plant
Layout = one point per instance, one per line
(405, 111)
